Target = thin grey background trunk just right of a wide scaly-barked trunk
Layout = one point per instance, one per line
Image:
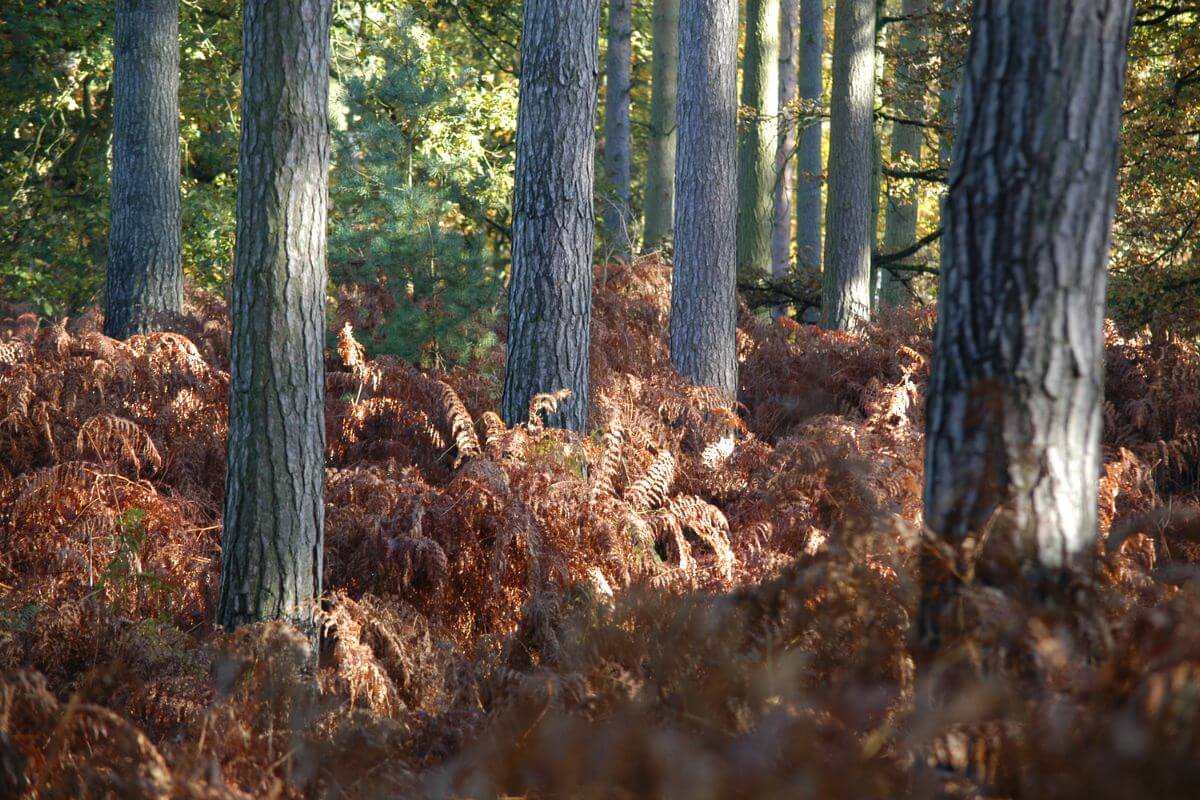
(617, 216)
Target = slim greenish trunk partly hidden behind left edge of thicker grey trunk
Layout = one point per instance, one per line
(662, 157)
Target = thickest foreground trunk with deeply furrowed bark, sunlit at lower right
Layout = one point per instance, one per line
(1016, 399)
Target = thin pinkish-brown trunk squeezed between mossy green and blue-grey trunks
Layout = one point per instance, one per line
(785, 158)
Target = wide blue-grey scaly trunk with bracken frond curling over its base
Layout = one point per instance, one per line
(554, 222)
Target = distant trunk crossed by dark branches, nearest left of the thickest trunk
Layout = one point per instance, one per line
(901, 216)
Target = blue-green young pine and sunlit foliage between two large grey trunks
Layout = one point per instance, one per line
(421, 194)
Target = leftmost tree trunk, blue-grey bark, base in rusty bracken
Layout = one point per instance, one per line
(145, 281)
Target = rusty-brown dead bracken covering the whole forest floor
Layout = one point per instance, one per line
(694, 603)
